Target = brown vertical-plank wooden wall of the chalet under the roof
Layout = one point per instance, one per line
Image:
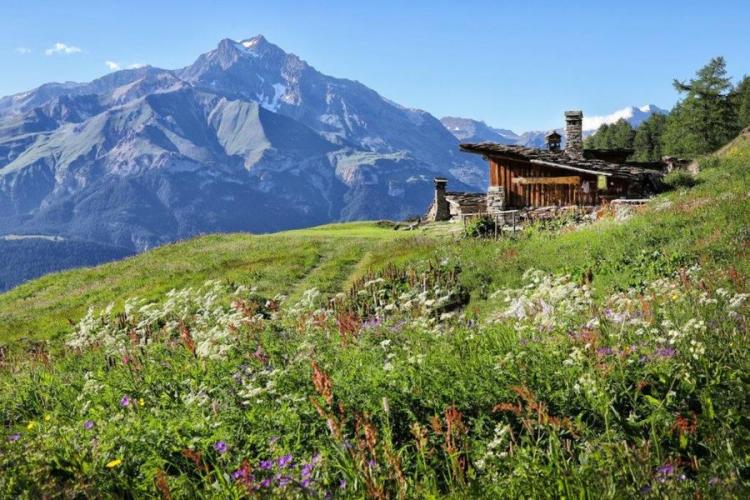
(529, 184)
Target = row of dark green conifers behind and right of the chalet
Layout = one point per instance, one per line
(711, 112)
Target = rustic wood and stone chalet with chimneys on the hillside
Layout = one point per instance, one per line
(529, 178)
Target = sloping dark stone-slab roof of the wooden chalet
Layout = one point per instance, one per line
(563, 160)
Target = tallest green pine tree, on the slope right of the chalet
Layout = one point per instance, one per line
(706, 118)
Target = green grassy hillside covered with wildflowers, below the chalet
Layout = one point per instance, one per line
(605, 360)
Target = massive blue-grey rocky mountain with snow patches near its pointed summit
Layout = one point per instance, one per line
(247, 138)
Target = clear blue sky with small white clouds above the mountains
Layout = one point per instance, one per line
(515, 65)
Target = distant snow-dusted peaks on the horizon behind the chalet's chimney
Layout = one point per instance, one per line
(468, 130)
